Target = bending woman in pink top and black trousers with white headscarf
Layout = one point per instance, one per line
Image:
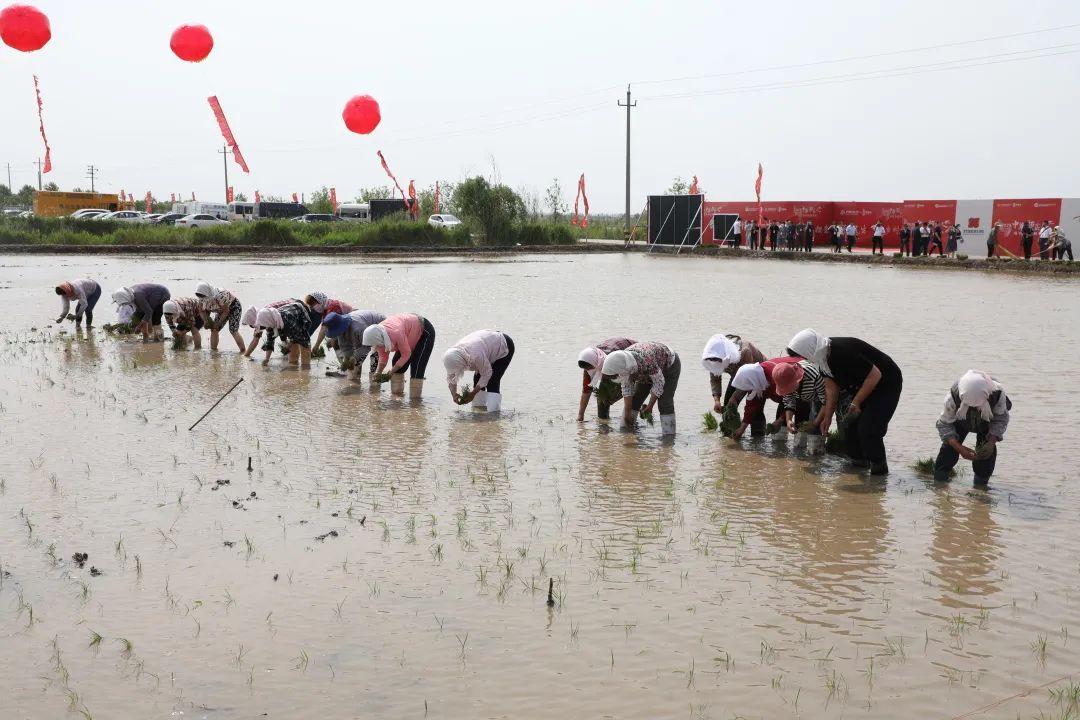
(412, 338)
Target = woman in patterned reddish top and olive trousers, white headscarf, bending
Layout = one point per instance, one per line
(646, 371)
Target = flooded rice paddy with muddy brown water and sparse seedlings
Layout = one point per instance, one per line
(387, 560)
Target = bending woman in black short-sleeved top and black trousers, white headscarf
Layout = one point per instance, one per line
(858, 368)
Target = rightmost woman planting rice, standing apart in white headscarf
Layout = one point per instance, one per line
(976, 404)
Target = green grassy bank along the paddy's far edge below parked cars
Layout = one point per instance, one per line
(79, 234)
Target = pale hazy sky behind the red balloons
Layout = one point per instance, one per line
(532, 89)
